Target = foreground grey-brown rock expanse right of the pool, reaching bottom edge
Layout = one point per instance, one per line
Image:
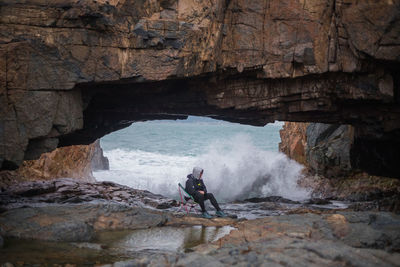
(345, 238)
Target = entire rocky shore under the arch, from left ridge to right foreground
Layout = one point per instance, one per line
(75, 214)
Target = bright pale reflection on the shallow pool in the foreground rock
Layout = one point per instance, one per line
(171, 238)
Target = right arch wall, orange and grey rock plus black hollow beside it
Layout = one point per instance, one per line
(337, 151)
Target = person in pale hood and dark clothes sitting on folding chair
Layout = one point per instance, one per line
(196, 187)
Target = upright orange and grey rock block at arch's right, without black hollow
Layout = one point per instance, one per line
(323, 148)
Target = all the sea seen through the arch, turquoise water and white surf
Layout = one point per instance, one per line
(239, 161)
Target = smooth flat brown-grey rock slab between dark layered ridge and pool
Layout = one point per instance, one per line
(75, 223)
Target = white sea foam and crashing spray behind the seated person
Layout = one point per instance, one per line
(233, 169)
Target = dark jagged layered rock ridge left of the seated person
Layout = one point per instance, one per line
(74, 191)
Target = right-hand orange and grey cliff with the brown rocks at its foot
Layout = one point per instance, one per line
(326, 152)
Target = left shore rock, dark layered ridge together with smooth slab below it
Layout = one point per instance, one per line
(70, 210)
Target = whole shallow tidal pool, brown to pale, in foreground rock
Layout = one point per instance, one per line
(109, 247)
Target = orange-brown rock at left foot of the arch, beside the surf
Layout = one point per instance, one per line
(72, 162)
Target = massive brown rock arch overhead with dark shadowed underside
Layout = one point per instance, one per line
(72, 71)
